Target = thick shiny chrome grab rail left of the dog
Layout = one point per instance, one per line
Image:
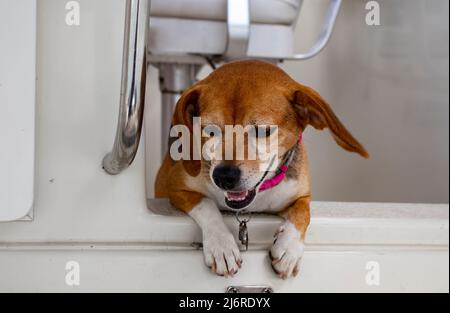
(132, 95)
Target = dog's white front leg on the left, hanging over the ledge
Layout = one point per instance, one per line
(219, 247)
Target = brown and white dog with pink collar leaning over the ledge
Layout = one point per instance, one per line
(250, 93)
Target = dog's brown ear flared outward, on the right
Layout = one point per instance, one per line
(313, 110)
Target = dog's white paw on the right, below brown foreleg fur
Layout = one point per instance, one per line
(287, 251)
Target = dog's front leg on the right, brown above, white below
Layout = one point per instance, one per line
(287, 250)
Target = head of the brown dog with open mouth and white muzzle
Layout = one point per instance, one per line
(266, 103)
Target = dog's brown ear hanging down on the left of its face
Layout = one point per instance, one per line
(186, 109)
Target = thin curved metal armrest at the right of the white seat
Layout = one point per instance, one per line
(324, 37)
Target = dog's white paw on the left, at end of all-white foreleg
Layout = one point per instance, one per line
(221, 252)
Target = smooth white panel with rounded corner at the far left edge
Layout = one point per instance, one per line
(17, 107)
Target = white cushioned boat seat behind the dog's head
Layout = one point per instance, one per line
(180, 27)
